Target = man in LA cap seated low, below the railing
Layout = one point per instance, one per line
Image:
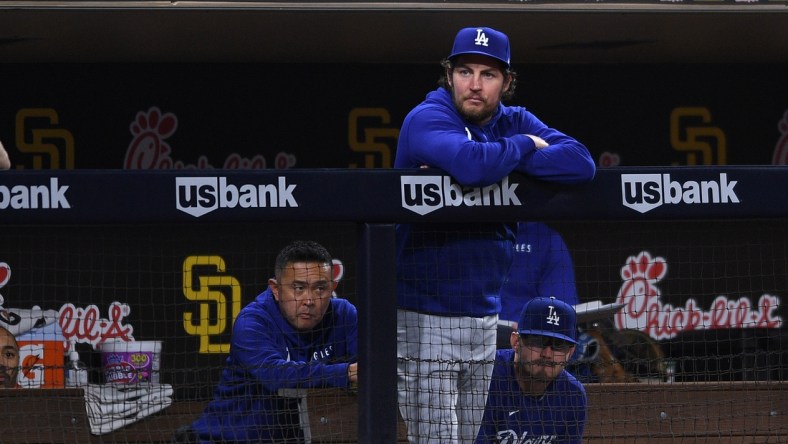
(532, 396)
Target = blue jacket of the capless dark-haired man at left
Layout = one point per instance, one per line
(267, 354)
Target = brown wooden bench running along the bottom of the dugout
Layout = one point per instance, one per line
(655, 413)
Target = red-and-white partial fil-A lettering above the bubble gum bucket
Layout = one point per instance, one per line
(87, 326)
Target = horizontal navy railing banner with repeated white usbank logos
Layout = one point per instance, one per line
(426, 195)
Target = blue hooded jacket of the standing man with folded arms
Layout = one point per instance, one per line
(458, 269)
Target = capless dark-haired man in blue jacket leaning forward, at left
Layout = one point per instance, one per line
(292, 336)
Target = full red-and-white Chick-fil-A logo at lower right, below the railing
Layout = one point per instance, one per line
(643, 310)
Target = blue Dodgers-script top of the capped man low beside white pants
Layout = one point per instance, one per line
(556, 417)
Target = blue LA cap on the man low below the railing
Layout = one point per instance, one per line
(548, 317)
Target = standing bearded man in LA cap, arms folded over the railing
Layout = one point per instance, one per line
(449, 276)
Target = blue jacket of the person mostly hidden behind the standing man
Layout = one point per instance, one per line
(542, 266)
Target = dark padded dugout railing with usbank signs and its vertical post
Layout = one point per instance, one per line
(373, 201)
